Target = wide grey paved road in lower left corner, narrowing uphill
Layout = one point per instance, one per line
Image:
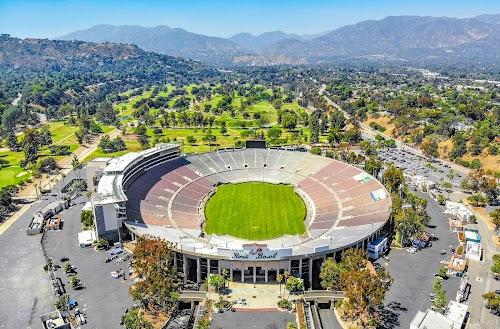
(24, 285)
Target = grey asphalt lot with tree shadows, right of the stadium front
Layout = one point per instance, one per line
(414, 273)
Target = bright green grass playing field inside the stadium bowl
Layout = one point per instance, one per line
(255, 211)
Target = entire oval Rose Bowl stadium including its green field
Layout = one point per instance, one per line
(255, 212)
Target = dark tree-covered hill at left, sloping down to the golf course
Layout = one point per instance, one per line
(50, 73)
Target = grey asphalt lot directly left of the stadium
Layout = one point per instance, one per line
(102, 299)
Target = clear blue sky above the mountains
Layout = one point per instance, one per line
(48, 19)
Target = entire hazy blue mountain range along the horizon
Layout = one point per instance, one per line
(395, 38)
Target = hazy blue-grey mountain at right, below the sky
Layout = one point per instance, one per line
(403, 38)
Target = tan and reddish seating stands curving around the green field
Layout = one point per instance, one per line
(171, 195)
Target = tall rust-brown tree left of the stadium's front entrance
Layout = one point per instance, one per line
(158, 284)
